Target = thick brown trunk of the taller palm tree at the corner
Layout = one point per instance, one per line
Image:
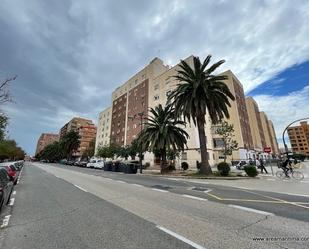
(205, 167)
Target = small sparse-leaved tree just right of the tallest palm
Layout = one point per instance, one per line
(226, 131)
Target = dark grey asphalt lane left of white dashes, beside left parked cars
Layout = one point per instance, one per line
(51, 213)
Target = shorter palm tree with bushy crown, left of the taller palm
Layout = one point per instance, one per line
(162, 132)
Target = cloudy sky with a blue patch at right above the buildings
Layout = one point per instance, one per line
(70, 55)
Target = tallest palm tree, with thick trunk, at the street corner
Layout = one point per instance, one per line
(200, 91)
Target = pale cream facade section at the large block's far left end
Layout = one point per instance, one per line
(104, 128)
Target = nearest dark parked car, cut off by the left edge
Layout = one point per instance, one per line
(6, 187)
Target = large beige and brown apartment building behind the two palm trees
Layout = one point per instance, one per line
(152, 85)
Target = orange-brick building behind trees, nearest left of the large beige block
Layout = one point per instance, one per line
(86, 129)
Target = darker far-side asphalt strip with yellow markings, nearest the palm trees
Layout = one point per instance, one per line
(289, 206)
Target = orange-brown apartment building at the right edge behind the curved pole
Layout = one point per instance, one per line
(299, 138)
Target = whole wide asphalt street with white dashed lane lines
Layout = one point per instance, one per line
(68, 207)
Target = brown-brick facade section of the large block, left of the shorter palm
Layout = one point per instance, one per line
(129, 100)
